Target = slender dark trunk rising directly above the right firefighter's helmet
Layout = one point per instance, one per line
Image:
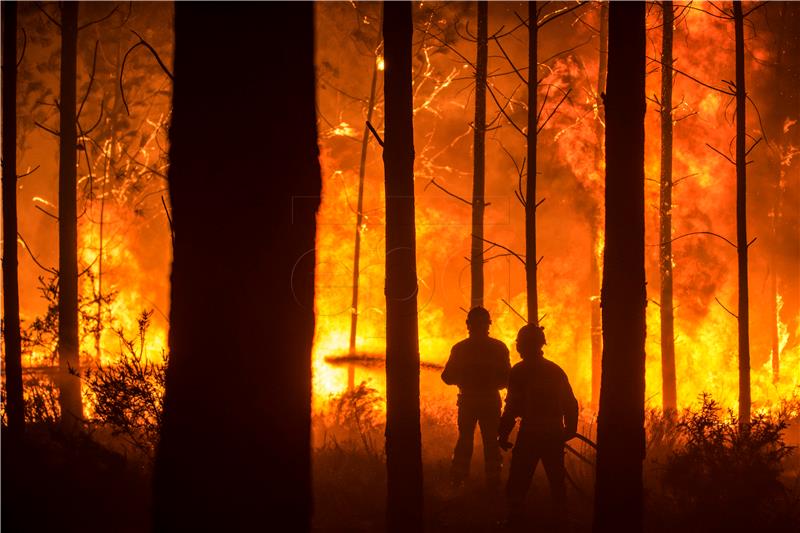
(530, 193)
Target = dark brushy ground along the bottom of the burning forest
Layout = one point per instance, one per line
(53, 482)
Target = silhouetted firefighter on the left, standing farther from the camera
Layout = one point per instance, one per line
(479, 365)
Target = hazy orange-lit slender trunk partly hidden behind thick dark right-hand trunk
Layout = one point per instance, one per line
(594, 220)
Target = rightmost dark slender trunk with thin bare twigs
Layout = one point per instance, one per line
(741, 219)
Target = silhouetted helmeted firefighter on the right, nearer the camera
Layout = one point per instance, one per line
(539, 393)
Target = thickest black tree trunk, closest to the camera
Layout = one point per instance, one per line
(244, 182)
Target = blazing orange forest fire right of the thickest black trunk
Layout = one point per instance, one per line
(704, 200)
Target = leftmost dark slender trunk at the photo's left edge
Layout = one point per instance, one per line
(15, 405)
